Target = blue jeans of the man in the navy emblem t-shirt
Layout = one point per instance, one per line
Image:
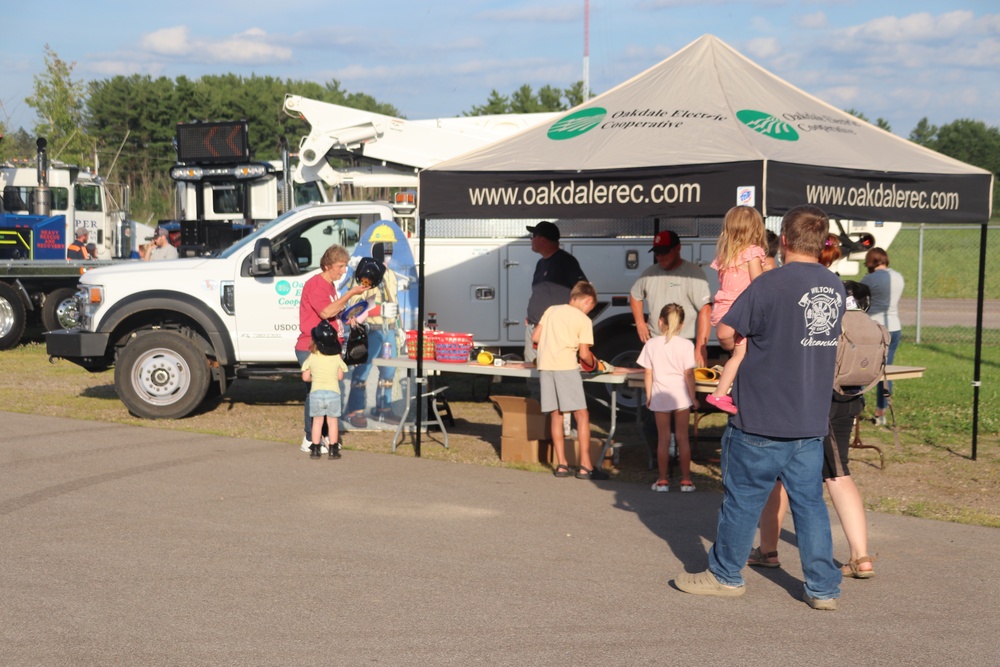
(750, 466)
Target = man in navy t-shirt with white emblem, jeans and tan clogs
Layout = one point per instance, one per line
(791, 319)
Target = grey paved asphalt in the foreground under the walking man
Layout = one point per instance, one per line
(137, 546)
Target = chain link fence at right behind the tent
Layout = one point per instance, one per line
(940, 264)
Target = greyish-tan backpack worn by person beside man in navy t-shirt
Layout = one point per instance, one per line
(861, 355)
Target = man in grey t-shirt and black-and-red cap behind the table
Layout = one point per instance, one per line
(672, 279)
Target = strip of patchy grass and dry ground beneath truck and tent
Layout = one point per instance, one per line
(931, 473)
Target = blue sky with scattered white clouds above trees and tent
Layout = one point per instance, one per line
(899, 60)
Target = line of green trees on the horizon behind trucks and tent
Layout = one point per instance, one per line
(125, 125)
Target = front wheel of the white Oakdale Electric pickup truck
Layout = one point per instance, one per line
(161, 375)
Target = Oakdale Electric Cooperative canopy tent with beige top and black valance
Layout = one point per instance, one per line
(700, 132)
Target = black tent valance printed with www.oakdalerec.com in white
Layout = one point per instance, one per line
(706, 190)
